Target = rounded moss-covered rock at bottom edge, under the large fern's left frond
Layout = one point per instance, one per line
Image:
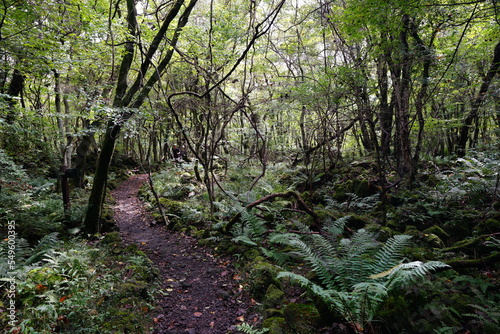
(301, 318)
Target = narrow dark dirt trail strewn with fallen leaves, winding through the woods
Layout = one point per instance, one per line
(200, 294)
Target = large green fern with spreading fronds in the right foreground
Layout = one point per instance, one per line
(355, 275)
